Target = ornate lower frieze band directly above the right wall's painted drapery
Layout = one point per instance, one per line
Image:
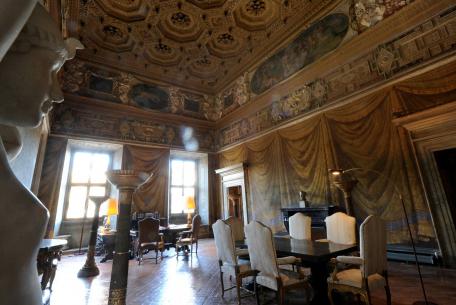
(431, 39)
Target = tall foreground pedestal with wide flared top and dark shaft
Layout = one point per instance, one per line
(126, 182)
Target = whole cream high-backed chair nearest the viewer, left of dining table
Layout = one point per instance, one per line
(263, 259)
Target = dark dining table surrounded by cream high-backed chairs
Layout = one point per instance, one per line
(314, 255)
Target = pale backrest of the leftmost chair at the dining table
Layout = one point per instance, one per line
(224, 242)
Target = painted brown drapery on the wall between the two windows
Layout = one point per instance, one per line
(152, 196)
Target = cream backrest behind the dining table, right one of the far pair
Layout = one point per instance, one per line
(341, 228)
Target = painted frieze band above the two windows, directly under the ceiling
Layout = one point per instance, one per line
(81, 78)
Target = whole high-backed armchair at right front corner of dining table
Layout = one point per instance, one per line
(372, 272)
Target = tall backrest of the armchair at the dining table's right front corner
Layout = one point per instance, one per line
(372, 246)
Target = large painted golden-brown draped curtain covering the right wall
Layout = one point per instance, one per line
(360, 135)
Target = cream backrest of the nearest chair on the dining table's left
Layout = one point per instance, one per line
(261, 249)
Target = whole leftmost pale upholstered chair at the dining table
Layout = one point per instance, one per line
(227, 254)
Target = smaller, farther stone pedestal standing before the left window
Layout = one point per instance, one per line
(90, 267)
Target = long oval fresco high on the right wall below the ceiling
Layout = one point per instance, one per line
(319, 39)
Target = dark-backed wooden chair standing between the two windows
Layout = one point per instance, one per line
(150, 238)
